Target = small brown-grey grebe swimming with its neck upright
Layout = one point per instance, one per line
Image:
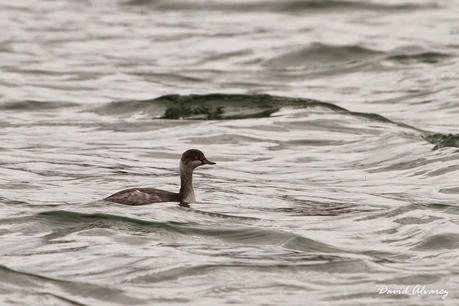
(190, 160)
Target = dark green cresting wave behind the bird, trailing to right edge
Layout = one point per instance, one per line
(240, 106)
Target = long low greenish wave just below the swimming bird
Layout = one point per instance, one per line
(68, 222)
